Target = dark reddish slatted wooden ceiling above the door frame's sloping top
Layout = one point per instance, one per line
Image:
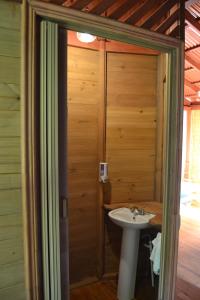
(162, 16)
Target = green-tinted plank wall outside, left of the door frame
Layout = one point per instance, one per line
(11, 234)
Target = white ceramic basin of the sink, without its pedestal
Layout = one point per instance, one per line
(124, 218)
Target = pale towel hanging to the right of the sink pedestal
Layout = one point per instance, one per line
(155, 254)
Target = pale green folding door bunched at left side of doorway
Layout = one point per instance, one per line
(49, 161)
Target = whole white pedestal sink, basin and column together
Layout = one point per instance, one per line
(129, 248)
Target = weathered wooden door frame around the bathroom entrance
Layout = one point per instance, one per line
(33, 12)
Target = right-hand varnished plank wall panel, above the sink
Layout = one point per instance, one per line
(131, 126)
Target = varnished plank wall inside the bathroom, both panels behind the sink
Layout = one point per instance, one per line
(131, 145)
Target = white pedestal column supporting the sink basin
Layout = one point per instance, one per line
(128, 264)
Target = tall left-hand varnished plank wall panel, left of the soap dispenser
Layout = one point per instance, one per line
(83, 90)
